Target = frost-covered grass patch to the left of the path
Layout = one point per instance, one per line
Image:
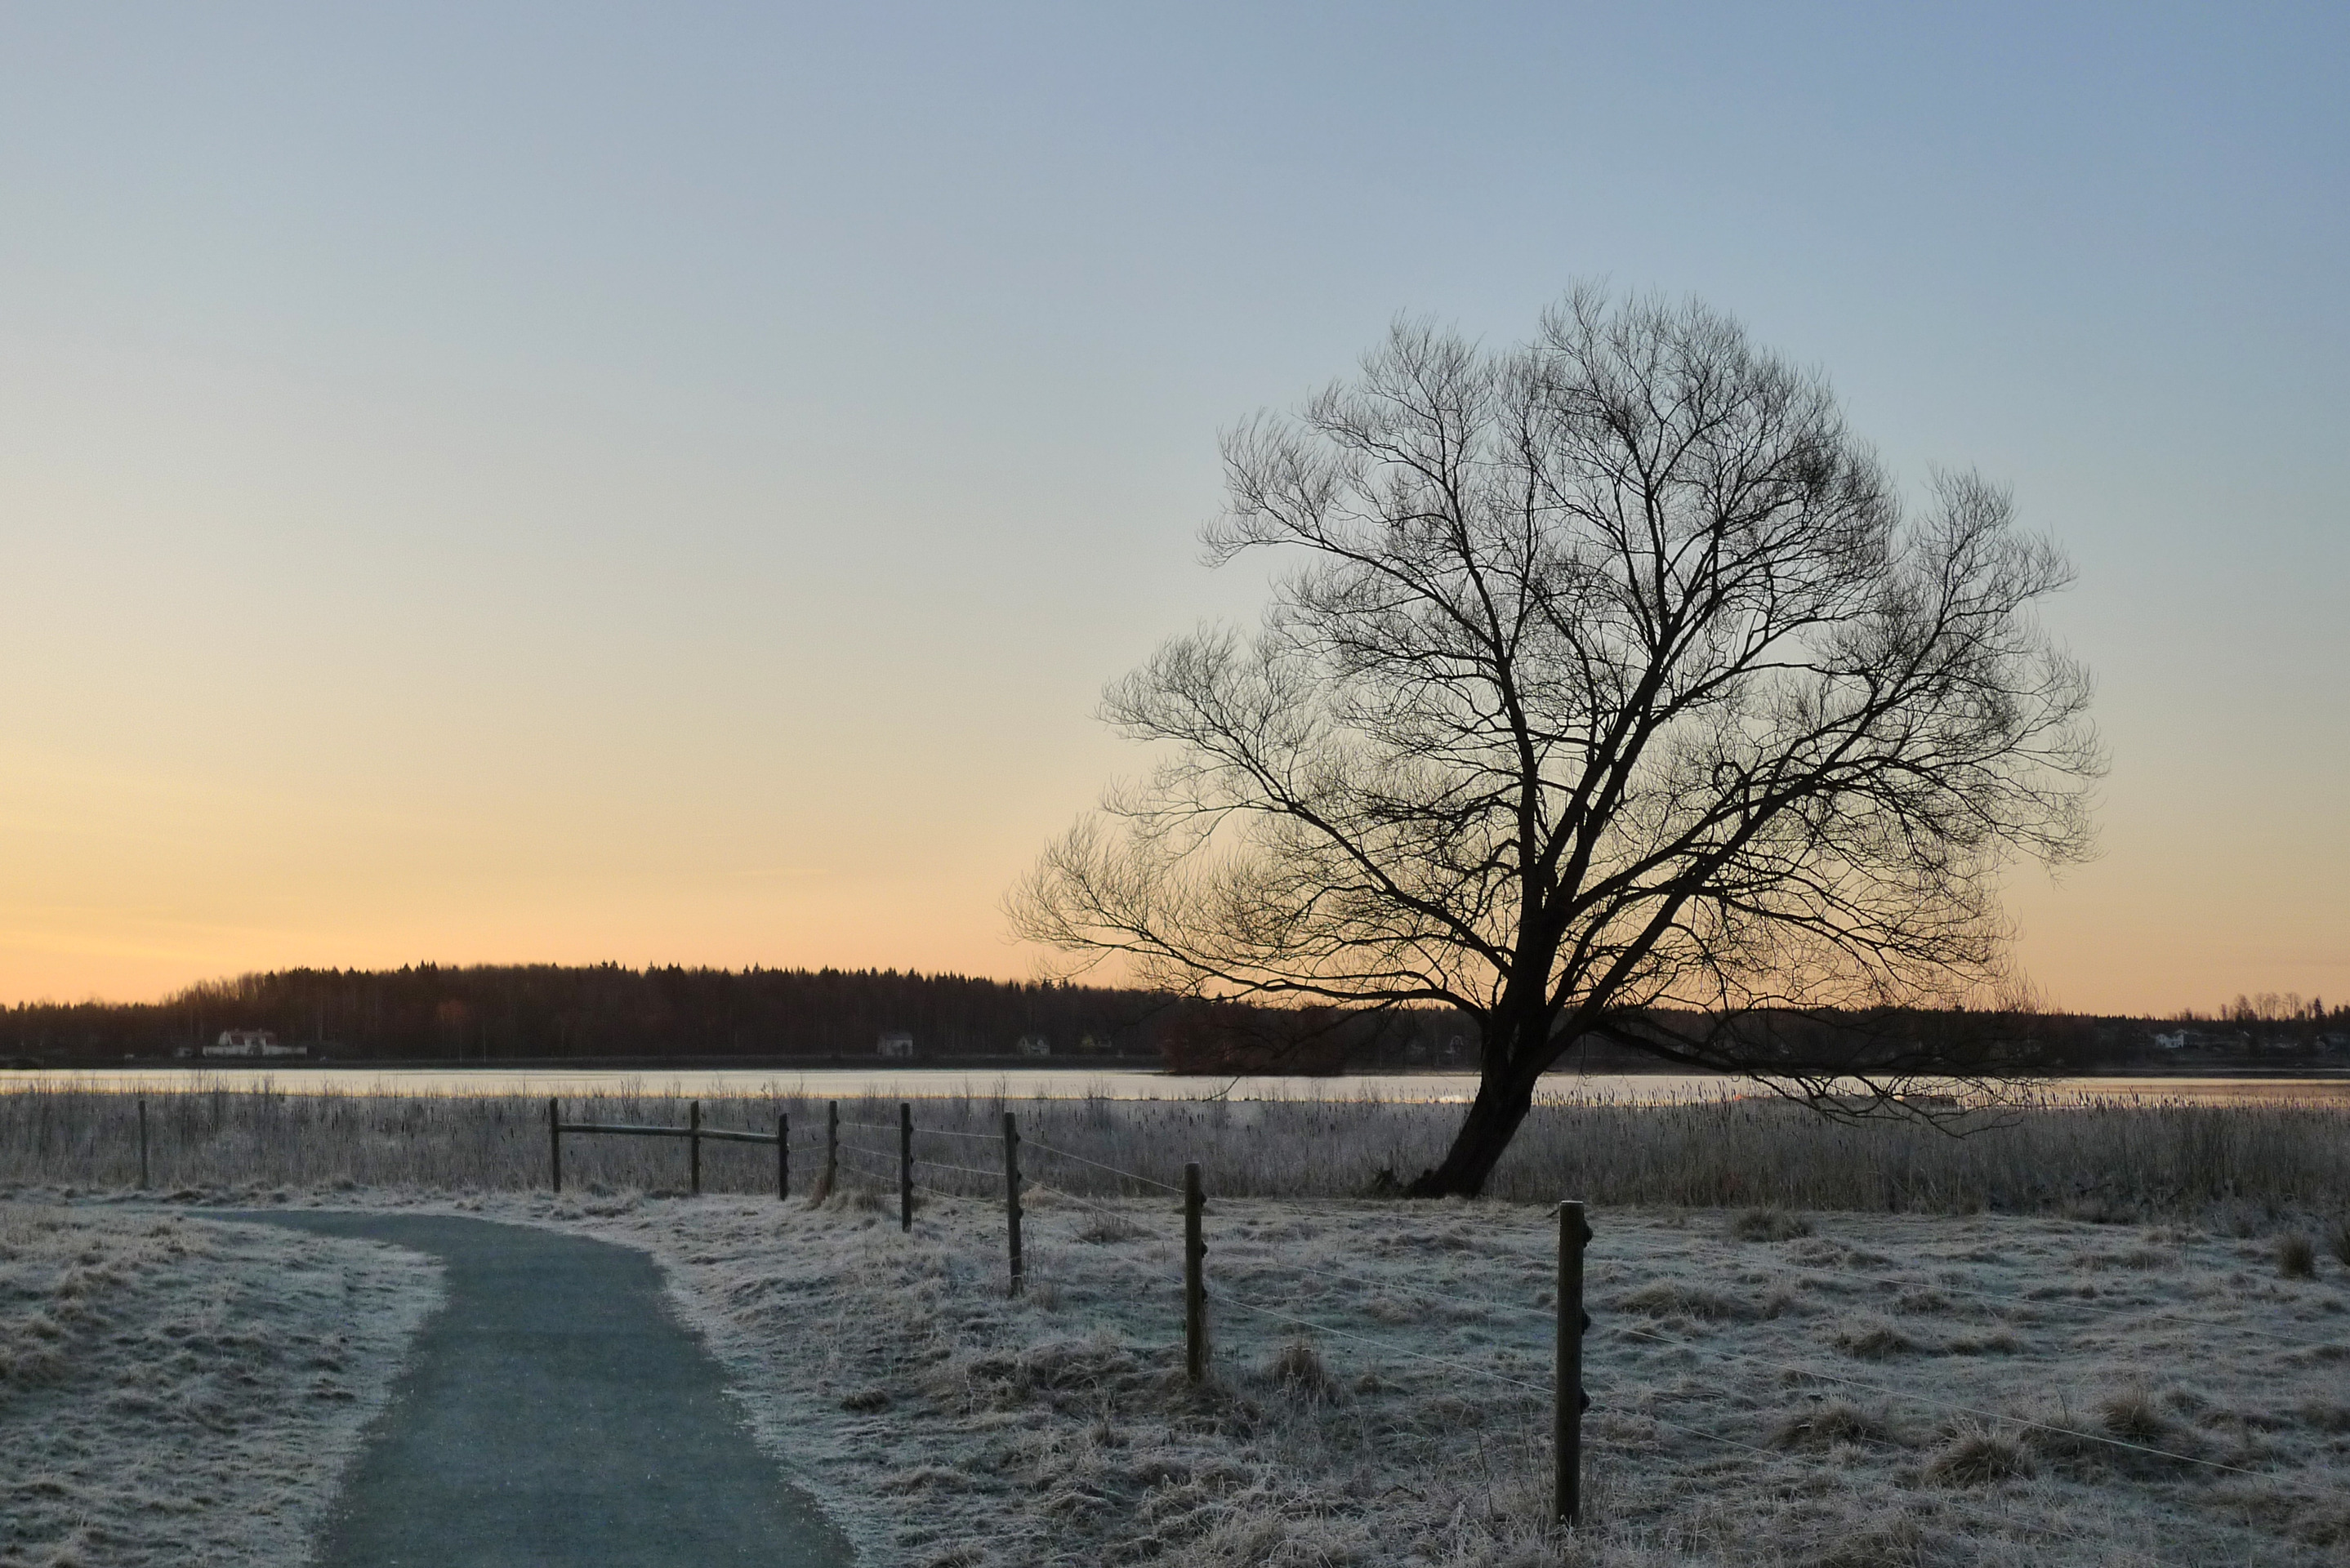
(182, 1393)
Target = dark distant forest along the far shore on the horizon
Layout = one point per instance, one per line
(605, 1012)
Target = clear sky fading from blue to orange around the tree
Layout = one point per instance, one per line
(669, 483)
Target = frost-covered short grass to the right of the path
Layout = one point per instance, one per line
(1768, 1388)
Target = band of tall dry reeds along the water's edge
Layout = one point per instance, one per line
(2093, 1162)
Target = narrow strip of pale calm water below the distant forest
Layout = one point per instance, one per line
(1075, 1083)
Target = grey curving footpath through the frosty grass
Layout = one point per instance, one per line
(556, 1414)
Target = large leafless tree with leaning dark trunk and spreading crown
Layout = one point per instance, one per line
(1609, 685)
